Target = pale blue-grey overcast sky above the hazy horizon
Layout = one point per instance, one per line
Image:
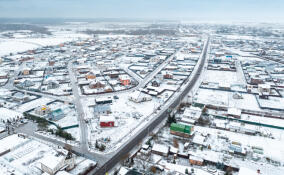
(261, 10)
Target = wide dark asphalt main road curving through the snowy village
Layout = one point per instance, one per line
(131, 143)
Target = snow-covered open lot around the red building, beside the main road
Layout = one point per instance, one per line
(127, 114)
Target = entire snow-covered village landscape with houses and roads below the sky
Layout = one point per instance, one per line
(141, 97)
